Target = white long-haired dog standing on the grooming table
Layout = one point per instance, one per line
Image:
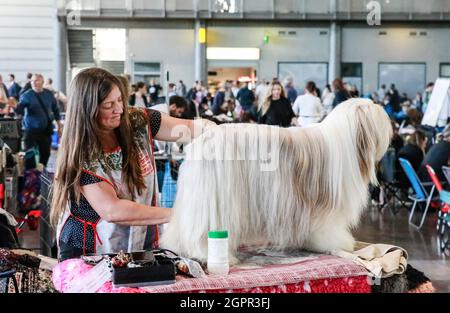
(310, 197)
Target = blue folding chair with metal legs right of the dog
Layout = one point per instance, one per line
(420, 196)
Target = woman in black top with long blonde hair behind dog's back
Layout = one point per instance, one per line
(276, 109)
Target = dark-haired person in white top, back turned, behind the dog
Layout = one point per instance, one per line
(308, 107)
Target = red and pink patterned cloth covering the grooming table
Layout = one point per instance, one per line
(324, 274)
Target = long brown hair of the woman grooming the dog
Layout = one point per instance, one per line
(80, 142)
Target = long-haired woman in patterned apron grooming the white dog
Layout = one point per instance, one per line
(104, 196)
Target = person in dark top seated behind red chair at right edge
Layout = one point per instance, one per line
(437, 156)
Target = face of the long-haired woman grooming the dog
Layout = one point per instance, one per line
(111, 110)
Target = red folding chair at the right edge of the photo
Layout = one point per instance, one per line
(443, 213)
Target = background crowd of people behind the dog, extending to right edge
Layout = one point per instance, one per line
(280, 103)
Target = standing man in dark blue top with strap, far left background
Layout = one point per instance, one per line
(39, 108)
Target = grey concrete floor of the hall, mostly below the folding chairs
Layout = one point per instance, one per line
(422, 245)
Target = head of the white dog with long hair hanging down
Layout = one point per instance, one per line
(371, 129)
